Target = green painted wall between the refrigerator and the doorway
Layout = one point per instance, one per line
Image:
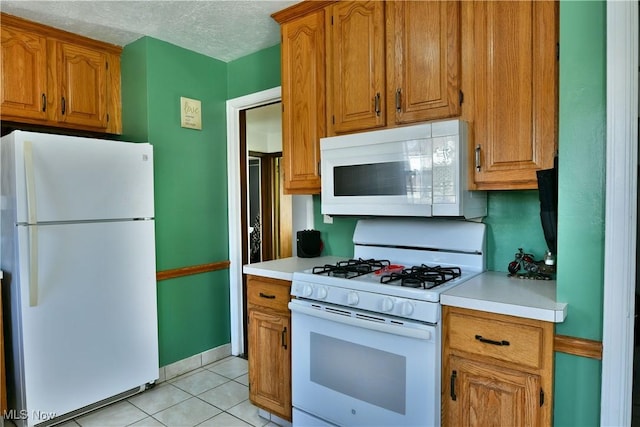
(190, 187)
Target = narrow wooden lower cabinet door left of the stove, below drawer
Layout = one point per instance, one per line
(270, 361)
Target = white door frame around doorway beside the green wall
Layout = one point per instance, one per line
(234, 107)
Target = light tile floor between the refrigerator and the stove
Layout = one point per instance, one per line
(214, 395)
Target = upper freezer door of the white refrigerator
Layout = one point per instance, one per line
(62, 178)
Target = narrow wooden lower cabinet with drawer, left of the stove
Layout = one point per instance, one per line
(269, 352)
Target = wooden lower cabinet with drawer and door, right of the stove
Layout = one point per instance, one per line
(497, 370)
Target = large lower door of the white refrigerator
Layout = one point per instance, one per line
(93, 333)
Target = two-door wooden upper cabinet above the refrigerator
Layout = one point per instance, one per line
(58, 79)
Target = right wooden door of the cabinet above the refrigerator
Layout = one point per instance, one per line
(82, 85)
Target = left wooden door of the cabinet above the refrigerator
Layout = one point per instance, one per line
(24, 74)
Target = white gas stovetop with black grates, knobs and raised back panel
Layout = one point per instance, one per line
(408, 264)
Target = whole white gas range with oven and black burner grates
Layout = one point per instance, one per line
(366, 332)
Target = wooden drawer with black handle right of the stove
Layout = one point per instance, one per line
(498, 338)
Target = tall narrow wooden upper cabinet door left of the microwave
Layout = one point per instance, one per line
(303, 102)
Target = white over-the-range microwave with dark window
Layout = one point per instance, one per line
(418, 170)
